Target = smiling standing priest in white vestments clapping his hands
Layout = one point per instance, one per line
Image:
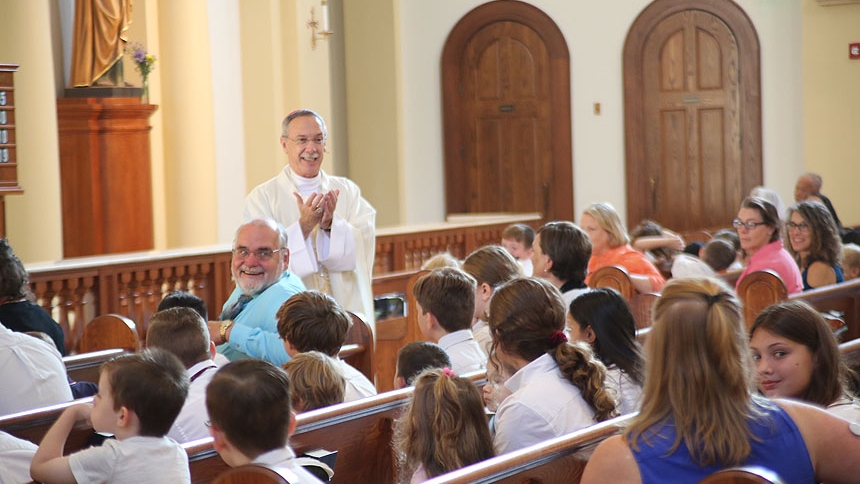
(330, 227)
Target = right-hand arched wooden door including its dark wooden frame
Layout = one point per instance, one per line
(692, 113)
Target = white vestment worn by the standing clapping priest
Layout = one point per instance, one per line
(341, 259)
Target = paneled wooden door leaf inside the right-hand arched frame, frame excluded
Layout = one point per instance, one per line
(687, 178)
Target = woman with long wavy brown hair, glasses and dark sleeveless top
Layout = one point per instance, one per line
(814, 243)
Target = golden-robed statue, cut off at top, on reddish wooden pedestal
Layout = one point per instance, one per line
(99, 42)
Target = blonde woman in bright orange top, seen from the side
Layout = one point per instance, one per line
(610, 245)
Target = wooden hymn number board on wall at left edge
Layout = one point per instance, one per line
(8, 153)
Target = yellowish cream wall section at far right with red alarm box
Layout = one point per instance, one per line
(831, 103)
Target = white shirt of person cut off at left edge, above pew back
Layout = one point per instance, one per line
(33, 373)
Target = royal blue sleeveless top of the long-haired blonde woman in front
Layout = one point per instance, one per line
(780, 448)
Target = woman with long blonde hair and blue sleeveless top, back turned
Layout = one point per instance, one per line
(700, 413)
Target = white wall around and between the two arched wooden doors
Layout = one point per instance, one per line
(595, 32)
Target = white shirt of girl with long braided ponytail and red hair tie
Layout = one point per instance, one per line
(543, 405)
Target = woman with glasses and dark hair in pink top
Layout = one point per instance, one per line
(758, 227)
